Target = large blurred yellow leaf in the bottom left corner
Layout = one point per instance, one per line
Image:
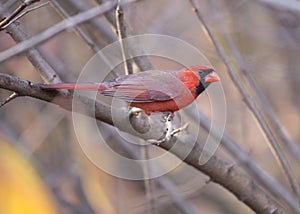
(22, 191)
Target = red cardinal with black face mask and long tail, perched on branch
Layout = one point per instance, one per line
(152, 91)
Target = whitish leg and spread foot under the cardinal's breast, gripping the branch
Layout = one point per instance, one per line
(169, 130)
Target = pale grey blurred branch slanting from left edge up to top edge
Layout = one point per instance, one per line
(56, 29)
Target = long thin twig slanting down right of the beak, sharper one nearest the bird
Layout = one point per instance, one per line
(276, 150)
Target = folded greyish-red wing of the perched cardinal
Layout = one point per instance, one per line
(145, 87)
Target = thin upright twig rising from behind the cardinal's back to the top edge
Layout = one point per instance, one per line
(121, 33)
